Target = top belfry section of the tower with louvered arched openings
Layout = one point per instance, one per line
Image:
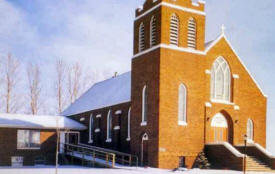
(179, 23)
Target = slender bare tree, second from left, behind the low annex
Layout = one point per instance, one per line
(34, 84)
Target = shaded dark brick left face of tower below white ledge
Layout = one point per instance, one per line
(145, 71)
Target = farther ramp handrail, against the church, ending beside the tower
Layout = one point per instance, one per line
(123, 155)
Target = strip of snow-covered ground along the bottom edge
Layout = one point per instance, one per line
(82, 170)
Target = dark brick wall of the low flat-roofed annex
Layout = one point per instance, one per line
(8, 146)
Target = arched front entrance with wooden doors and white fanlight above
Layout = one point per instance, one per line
(220, 129)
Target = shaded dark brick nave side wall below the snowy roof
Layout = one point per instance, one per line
(99, 139)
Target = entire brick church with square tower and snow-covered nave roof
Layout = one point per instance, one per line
(182, 95)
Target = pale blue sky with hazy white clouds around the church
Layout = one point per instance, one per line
(100, 34)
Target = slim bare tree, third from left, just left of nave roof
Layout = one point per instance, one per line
(60, 69)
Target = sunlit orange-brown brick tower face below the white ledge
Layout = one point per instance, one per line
(181, 68)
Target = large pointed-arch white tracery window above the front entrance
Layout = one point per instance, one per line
(214, 72)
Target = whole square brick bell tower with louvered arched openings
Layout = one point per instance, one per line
(169, 38)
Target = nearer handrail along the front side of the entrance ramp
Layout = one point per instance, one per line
(95, 154)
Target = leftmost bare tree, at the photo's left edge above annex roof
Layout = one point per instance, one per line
(12, 101)
